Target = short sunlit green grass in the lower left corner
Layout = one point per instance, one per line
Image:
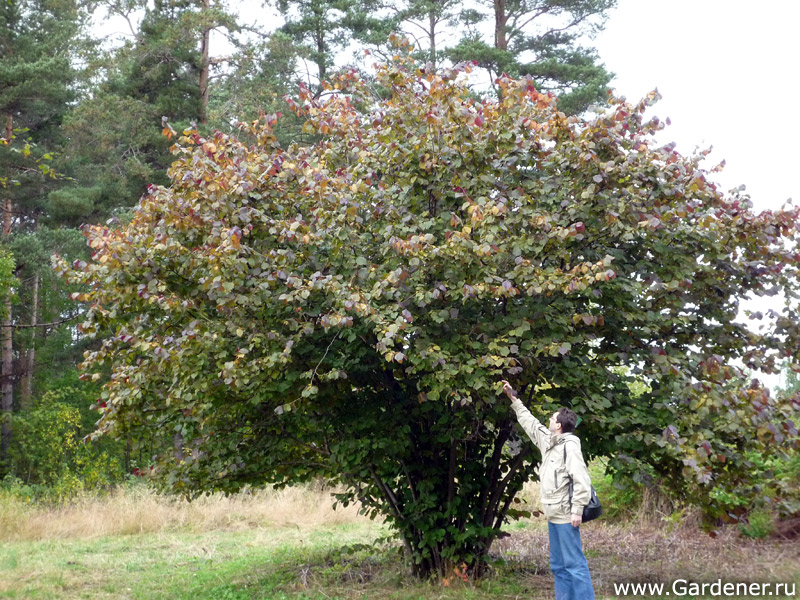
(180, 566)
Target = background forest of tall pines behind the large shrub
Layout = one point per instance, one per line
(81, 100)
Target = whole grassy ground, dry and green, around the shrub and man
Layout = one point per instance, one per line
(290, 545)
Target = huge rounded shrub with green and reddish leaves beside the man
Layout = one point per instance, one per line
(347, 309)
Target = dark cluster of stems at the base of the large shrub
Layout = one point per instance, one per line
(446, 495)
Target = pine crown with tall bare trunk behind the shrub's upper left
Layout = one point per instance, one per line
(115, 147)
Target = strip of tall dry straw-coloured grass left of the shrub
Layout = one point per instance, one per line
(139, 510)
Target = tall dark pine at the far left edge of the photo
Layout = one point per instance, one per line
(37, 51)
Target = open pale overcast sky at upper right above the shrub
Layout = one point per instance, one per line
(729, 75)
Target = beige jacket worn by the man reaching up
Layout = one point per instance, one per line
(554, 471)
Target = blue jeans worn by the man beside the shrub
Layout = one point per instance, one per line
(568, 563)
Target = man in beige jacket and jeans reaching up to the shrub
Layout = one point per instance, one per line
(562, 459)
